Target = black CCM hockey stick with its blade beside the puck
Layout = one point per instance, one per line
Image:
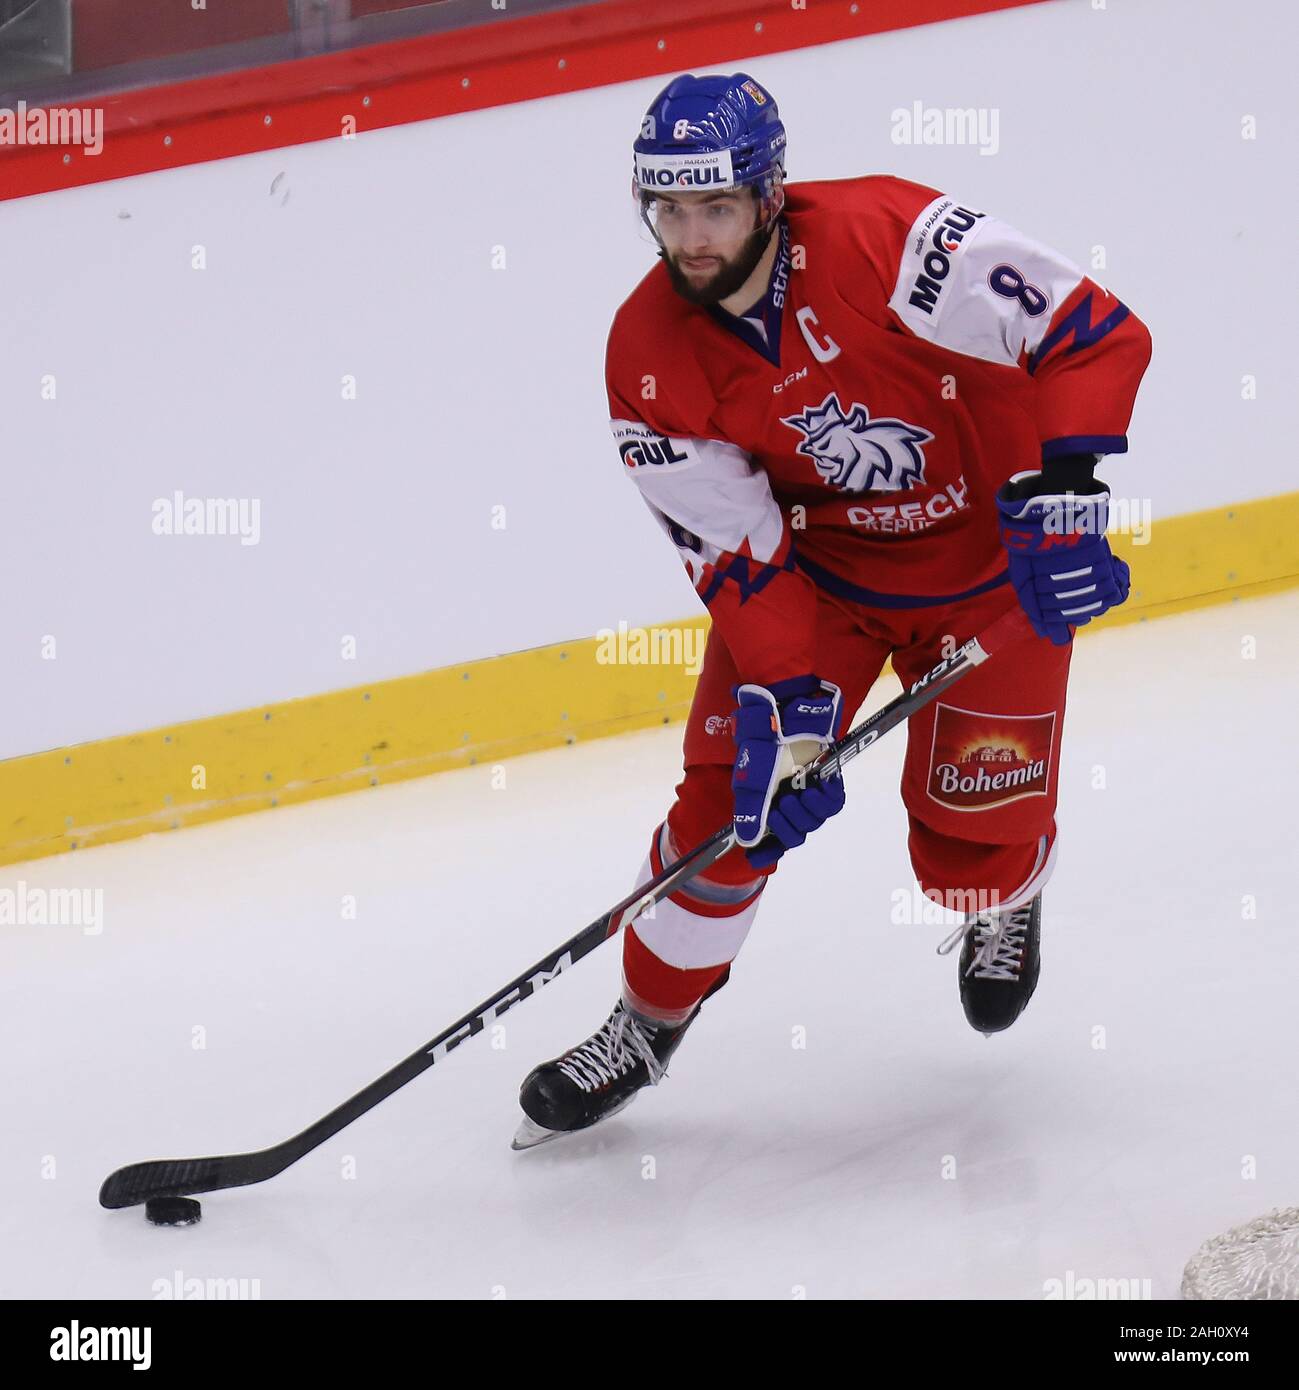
(180, 1177)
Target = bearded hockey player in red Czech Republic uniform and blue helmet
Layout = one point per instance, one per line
(868, 416)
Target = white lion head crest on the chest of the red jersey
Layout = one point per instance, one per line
(858, 454)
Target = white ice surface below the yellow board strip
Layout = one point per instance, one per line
(1143, 1104)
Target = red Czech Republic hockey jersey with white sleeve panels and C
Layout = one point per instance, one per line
(851, 430)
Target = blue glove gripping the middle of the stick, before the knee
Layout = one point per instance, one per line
(779, 730)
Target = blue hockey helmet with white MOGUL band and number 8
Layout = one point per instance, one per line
(709, 134)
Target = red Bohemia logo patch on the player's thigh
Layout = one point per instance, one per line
(983, 761)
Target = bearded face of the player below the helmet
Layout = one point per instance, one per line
(711, 243)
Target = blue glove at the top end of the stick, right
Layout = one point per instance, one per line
(1061, 562)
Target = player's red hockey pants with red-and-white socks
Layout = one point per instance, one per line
(979, 785)
